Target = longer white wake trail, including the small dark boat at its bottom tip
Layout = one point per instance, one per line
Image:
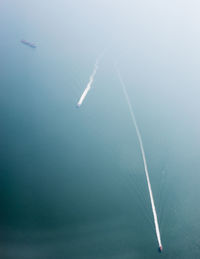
(144, 161)
